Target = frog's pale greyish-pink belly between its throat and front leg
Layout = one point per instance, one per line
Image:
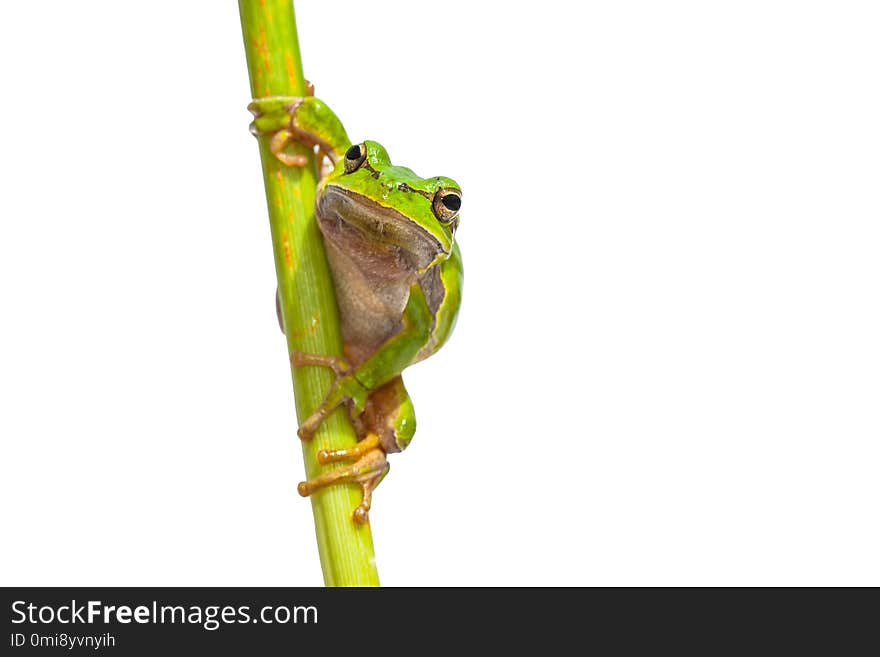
(371, 292)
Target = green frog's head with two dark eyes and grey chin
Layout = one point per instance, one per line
(391, 205)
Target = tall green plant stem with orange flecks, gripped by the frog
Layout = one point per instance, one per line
(305, 288)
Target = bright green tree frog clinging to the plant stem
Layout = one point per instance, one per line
(389, 238)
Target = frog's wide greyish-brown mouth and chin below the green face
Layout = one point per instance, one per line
(361, 226)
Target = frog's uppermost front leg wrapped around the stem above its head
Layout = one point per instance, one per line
(306, 120)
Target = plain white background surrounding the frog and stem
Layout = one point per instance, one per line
(666, 368)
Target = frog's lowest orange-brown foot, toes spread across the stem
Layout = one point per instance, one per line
(368, 470)
